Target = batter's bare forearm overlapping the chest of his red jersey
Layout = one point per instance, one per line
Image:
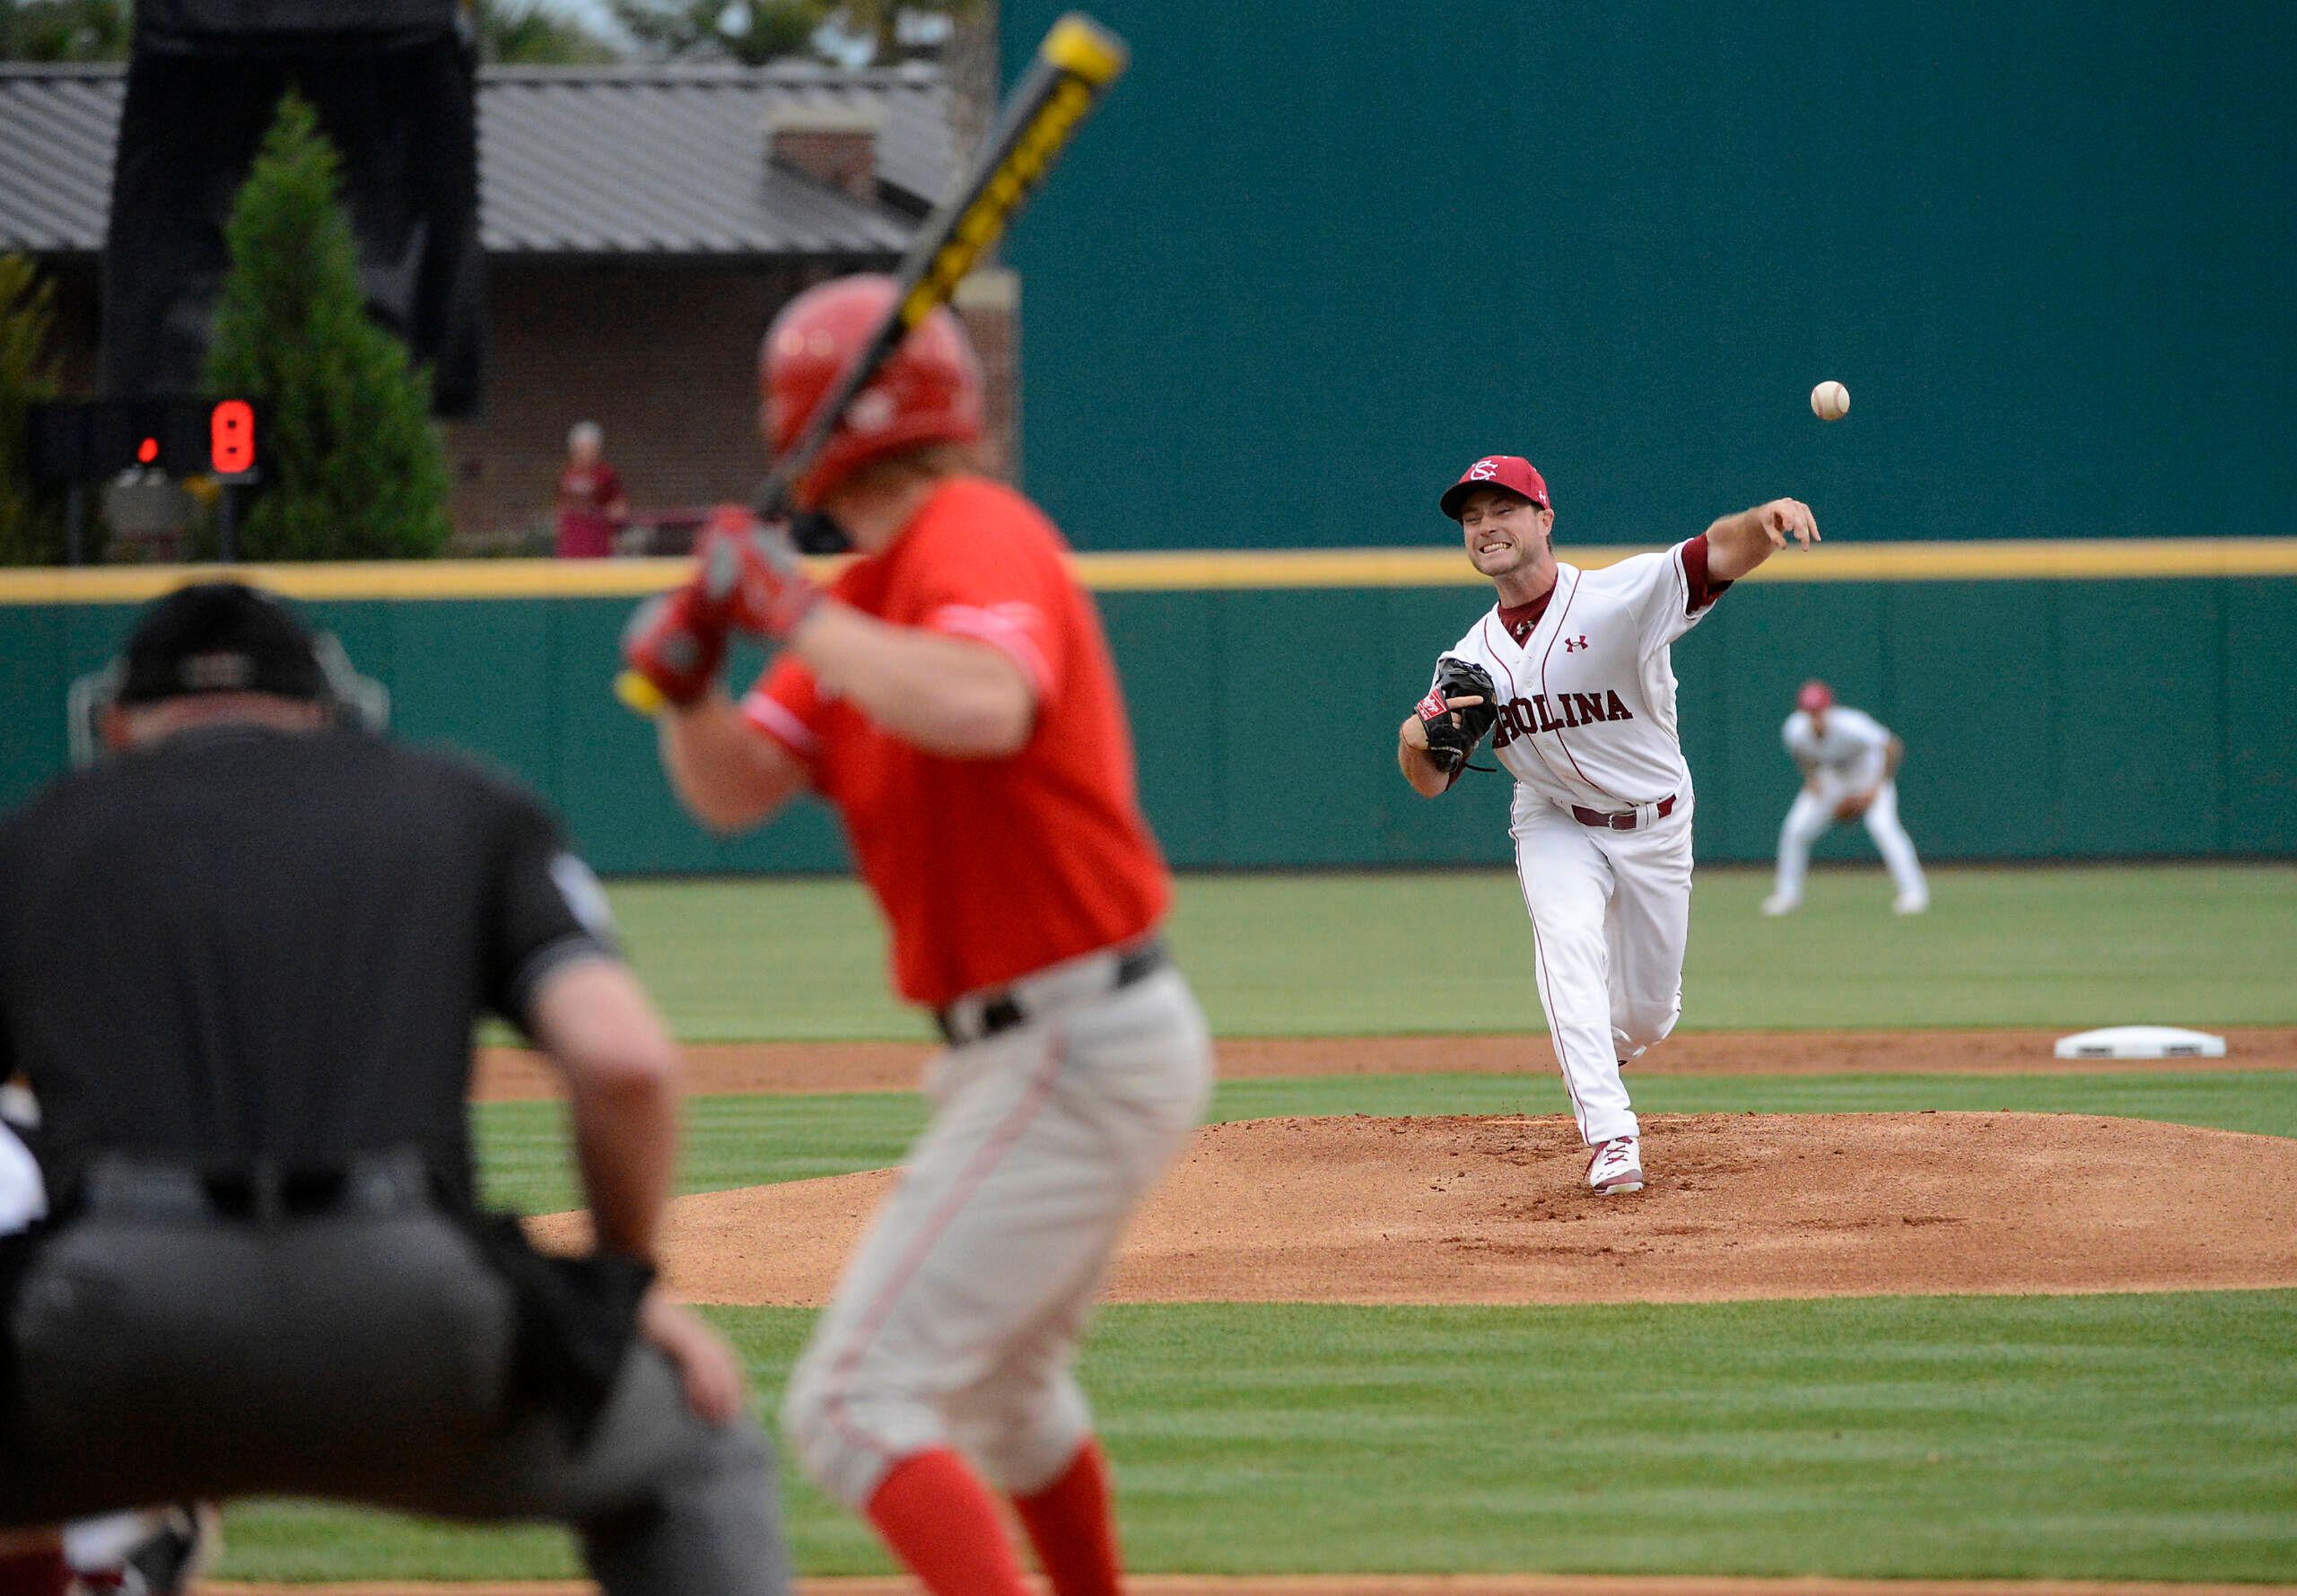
(952, 697)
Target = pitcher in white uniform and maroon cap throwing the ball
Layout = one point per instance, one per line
(1572, 679)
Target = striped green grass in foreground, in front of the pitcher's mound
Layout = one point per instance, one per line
(2142, 1439)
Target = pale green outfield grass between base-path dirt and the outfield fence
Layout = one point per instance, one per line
(1405, 952)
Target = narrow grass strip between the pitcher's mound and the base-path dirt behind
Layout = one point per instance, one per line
(755, 1140)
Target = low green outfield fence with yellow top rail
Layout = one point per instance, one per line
(2057, 702)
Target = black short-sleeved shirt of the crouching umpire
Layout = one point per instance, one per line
(252, 947)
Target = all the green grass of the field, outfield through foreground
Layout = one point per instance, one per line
(2114, 1436)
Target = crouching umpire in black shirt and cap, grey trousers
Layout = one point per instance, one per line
(240, 966)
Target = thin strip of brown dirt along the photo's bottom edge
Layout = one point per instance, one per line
(1370, 1586)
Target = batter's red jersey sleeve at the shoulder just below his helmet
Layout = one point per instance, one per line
(1005, 587)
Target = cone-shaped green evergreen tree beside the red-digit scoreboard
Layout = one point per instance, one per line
(355, 467)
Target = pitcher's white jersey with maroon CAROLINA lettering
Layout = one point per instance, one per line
(1588, 699)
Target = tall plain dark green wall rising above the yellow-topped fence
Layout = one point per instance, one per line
(1317, 256)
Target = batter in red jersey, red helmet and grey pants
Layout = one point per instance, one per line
(954, 699)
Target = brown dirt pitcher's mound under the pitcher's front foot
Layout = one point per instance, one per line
(1496, 1211)
